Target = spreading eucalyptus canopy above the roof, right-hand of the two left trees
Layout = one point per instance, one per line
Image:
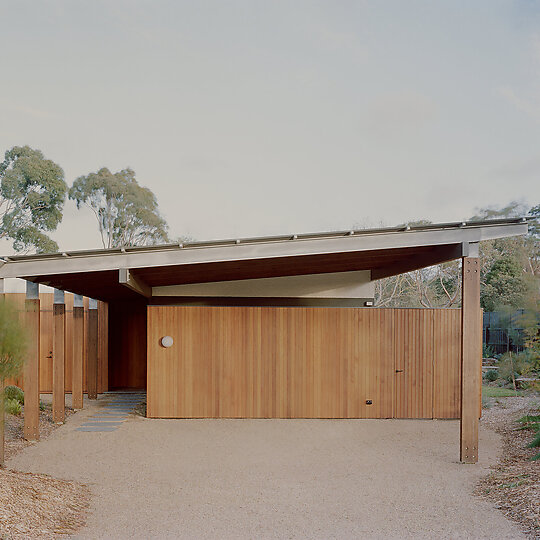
(127, 213)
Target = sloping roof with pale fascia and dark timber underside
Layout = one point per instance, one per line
(384, 251)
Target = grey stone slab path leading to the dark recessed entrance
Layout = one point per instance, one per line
(115, 409)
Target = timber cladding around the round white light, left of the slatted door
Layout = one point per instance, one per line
(253, 362)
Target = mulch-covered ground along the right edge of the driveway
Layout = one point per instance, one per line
(514, 483)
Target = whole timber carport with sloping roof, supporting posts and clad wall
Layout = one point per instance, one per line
(277, 326)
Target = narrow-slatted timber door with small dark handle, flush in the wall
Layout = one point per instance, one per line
(413, 346)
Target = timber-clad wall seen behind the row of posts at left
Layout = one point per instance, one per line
(46, 341)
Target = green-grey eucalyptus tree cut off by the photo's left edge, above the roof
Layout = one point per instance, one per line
(32, 195)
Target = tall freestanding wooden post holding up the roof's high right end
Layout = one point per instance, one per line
(471, 353)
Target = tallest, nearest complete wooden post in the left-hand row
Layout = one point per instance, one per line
(31, 367)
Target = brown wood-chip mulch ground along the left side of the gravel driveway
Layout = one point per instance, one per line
(33, 505)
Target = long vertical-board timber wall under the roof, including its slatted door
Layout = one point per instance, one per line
(253, 362)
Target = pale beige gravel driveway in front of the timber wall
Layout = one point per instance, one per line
(239, 479)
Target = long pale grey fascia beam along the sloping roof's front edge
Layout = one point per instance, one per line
(250, 251)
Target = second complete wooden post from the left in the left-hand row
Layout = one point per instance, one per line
(59, 337)
